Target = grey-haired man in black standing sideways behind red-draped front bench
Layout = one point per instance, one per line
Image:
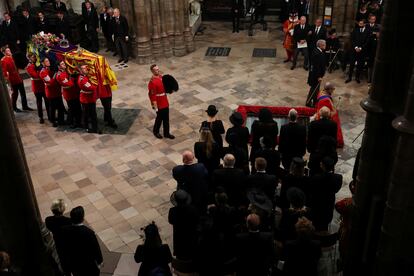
(316, 72)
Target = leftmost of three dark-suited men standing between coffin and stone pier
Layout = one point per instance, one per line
(90, 18)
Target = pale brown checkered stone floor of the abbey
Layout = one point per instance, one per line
(124, 180)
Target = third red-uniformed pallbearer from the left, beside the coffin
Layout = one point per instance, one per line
(53, 94)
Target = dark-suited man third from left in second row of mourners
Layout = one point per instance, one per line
(261, 181)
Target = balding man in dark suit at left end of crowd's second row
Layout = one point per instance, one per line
(192, 177)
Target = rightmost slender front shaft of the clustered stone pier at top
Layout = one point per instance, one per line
(179, 45)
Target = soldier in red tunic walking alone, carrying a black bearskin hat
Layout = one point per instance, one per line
(159, 102)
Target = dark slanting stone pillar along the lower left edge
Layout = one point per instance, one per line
(21, 225)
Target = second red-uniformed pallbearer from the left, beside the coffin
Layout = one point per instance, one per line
(38, 87)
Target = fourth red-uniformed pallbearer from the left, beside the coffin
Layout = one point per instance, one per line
(70, 93)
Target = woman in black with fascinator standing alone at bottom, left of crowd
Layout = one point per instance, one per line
(153, 254)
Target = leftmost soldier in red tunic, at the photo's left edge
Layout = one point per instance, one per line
(11, 74)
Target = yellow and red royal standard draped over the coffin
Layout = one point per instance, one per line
(100, 73)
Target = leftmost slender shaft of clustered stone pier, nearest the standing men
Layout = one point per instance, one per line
(143, 50)
